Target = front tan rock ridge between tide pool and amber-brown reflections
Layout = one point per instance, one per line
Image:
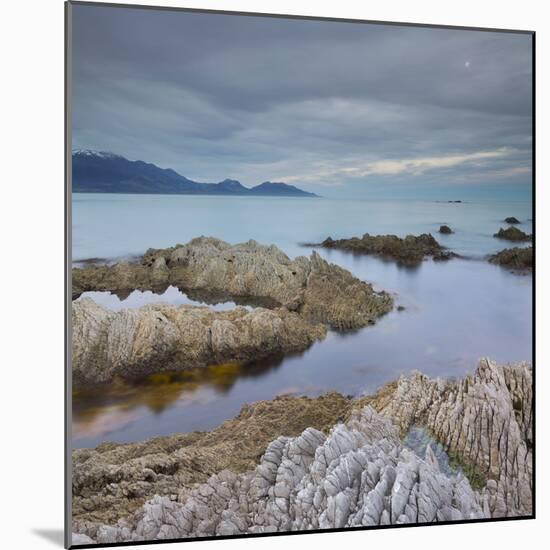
(161, 337)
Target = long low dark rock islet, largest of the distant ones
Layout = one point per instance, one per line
(408, 251)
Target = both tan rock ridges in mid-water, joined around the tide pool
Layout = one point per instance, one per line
(305, 295)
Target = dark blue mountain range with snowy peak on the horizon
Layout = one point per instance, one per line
(102, 172)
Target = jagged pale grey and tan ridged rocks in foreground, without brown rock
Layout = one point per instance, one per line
(359, 472)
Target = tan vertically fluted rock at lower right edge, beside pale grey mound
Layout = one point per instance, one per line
(485, 420)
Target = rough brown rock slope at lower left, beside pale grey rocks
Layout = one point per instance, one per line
(113, 480)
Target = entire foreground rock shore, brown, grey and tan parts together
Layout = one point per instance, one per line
(358, 472)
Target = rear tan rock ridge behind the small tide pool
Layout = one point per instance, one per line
(207, 268)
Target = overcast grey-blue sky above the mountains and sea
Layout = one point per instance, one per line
(340, 109)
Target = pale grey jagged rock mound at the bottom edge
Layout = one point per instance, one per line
(358, 475)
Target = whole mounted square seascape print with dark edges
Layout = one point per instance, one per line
(300, 260)
